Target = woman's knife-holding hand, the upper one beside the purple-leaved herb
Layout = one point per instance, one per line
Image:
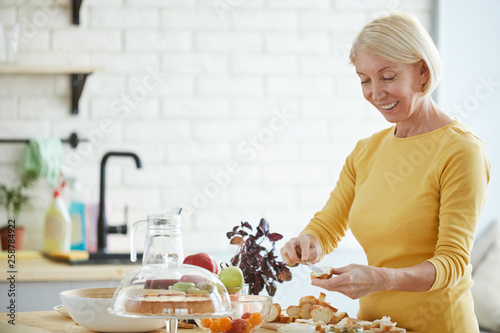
(300, 249)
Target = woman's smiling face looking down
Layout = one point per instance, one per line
(394, 89)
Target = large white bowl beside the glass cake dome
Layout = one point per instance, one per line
(89, 308)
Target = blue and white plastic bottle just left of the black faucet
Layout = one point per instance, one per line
(77, 215)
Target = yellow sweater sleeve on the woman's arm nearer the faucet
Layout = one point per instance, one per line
(330, 224)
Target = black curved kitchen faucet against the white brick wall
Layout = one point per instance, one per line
(102, 226)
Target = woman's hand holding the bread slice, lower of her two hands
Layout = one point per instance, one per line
(356, 281)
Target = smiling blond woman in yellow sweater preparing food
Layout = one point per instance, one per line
(411, 194)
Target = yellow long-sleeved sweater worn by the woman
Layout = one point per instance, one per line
(408, 200)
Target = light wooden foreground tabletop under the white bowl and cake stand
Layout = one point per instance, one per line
(53, 322)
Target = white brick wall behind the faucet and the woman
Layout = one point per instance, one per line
(223, 69)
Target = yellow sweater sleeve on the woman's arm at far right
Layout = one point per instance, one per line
(464, 178)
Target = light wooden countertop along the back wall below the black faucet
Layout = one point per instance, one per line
(37, 268)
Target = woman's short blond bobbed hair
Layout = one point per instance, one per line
(400, 38)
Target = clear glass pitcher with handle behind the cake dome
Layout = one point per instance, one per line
(163, 243)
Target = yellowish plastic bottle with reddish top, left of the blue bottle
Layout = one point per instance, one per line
(57, 232)
